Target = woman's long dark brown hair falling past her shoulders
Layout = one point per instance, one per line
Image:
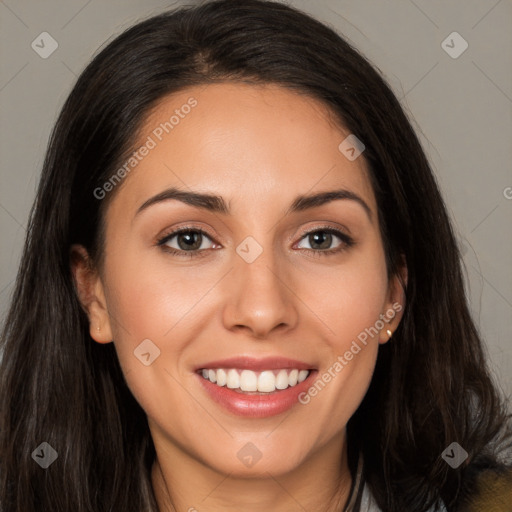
(431, 386)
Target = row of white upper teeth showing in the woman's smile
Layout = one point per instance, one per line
(266, 381)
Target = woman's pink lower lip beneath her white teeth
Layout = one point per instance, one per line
(256, 405)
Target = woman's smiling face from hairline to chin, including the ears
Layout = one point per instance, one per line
(226, 260)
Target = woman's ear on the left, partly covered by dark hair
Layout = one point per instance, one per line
(90, 292)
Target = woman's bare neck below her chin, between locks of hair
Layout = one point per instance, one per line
(322, 483)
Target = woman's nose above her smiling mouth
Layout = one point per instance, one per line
(260, 300)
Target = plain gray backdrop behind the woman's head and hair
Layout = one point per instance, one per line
(461, 108)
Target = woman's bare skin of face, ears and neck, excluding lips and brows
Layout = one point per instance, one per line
(258, 147)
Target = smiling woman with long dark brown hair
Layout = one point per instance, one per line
(240, 289)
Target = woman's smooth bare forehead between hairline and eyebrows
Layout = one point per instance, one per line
(250, 144)
